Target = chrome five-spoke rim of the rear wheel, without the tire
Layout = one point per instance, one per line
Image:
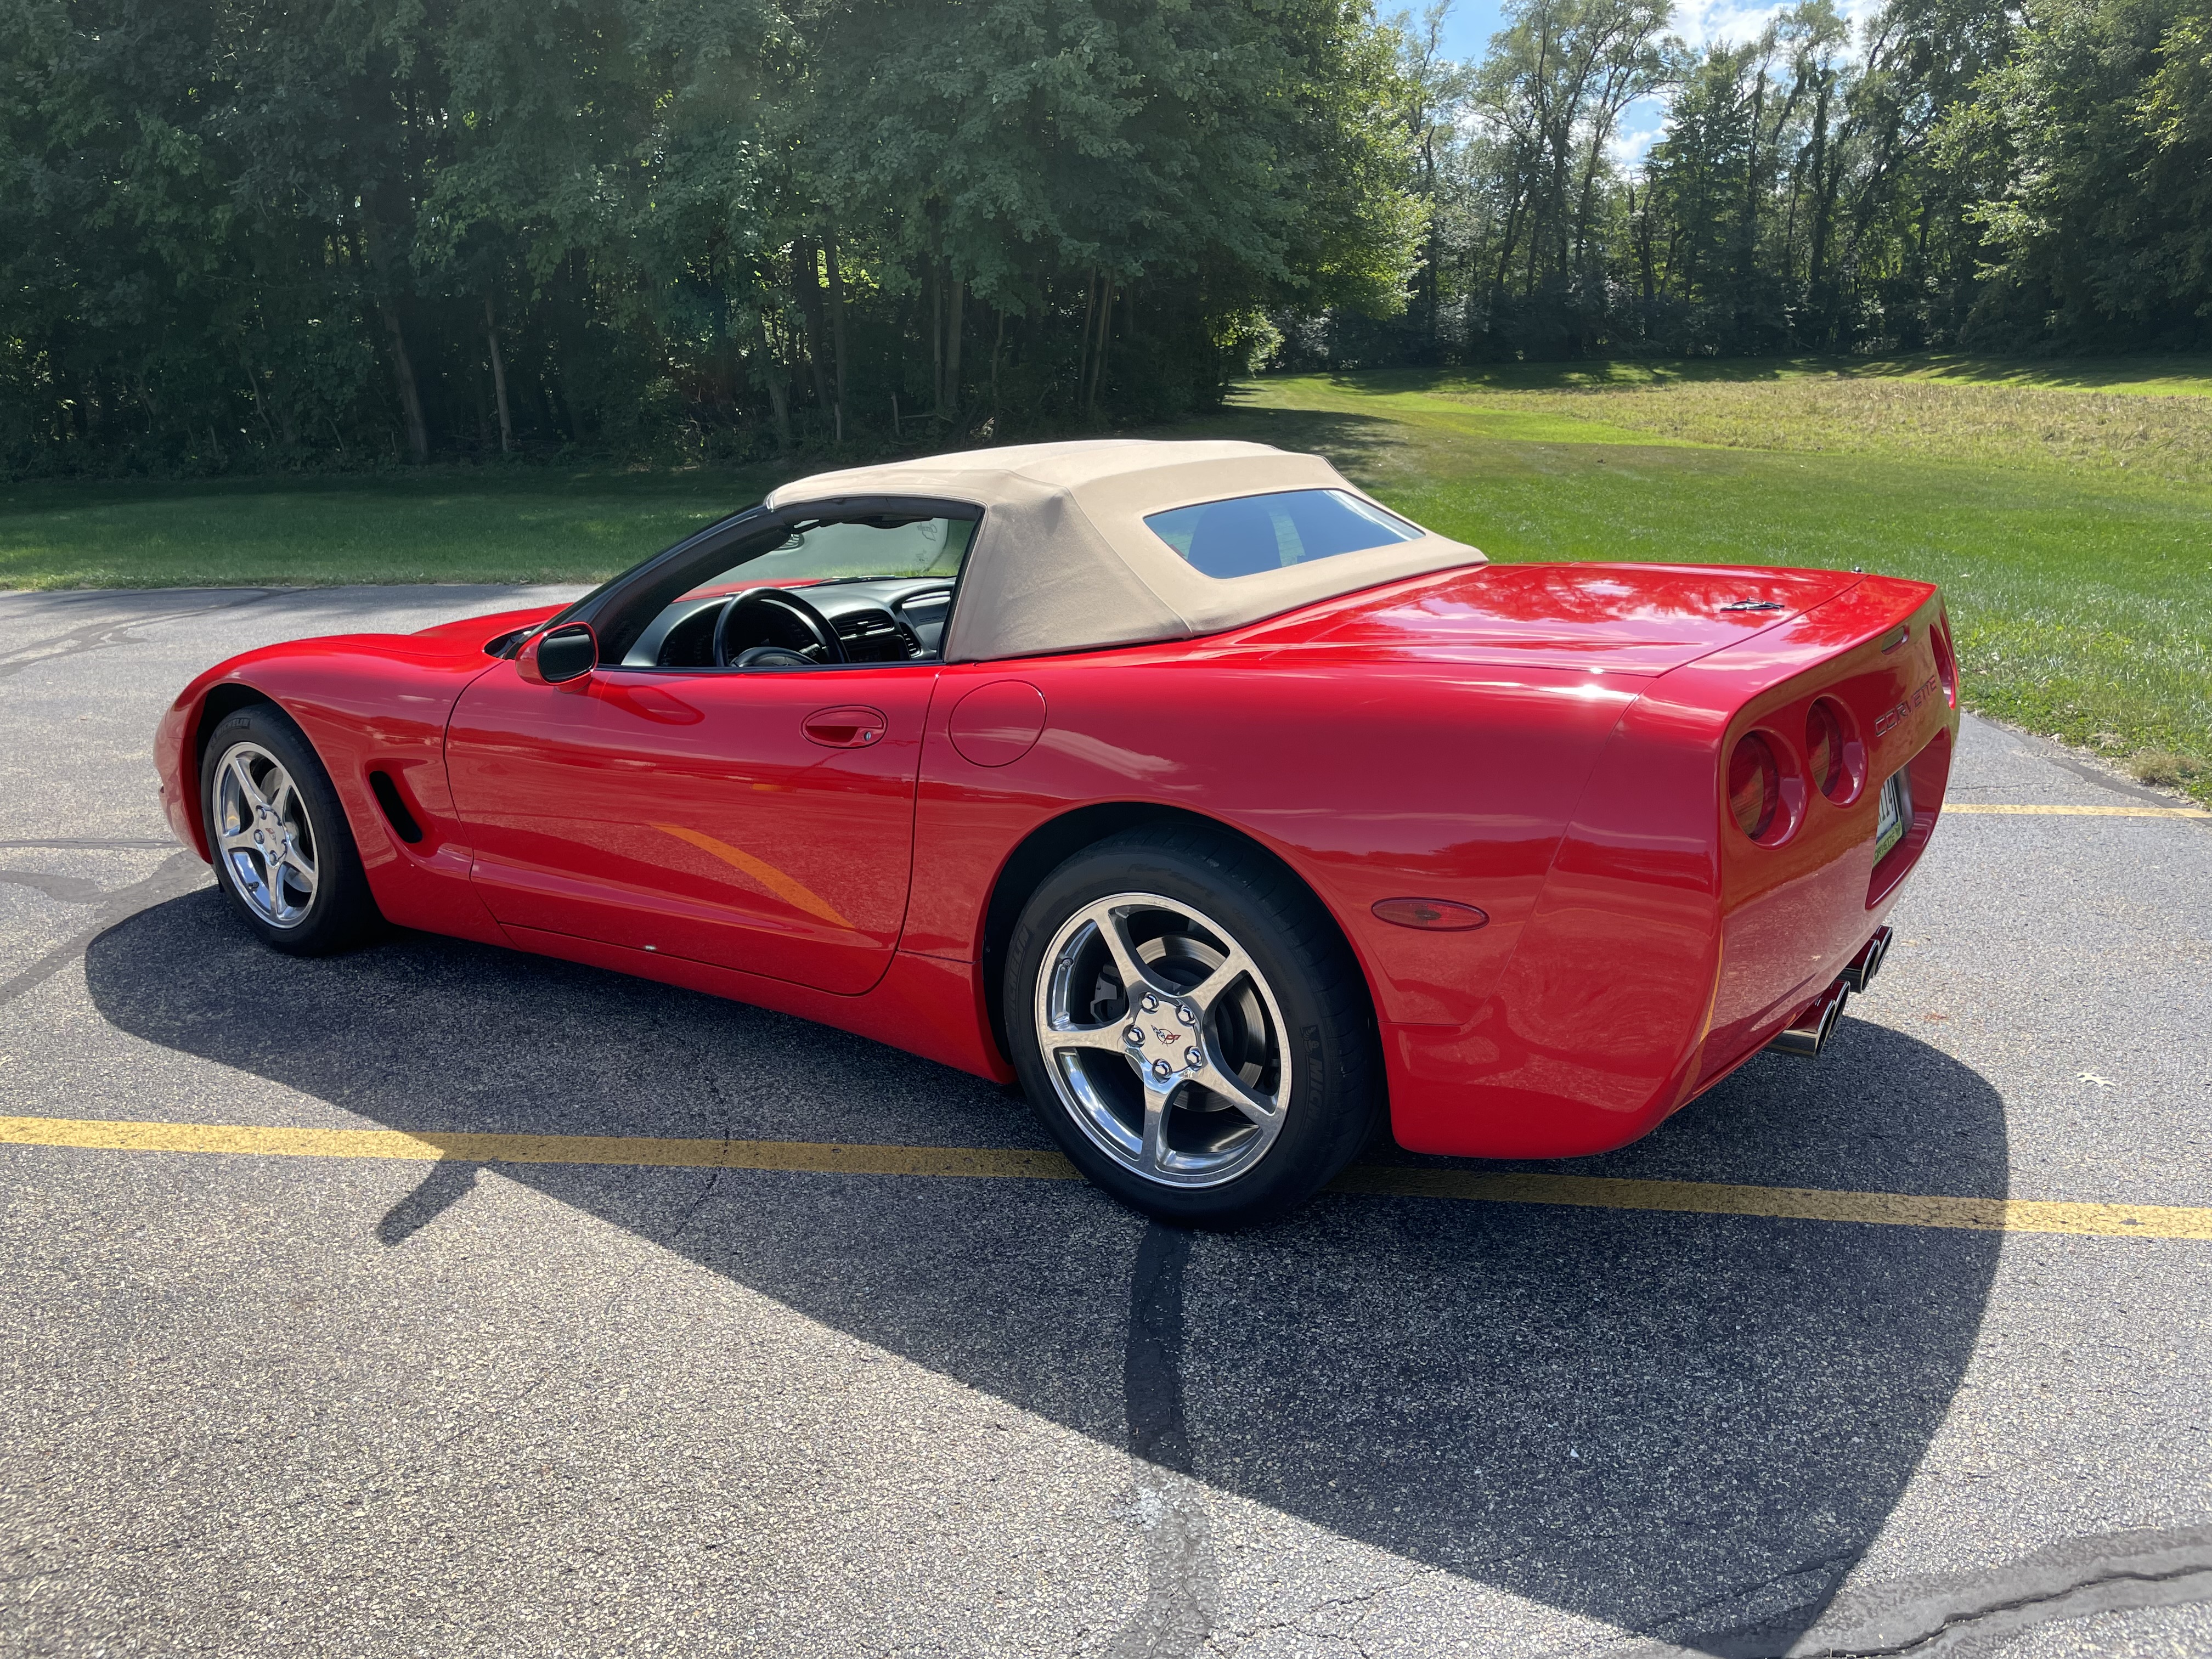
(1165, 1041)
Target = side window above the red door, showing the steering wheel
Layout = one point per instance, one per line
(833, 592)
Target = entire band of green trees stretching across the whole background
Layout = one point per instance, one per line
(359, 233)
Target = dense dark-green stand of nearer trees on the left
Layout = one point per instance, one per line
(359, 231)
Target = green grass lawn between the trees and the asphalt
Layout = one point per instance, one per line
(2065, 508)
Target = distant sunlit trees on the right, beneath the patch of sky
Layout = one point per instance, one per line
(1948, 174)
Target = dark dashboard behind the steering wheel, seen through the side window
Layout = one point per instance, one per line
(879, 620)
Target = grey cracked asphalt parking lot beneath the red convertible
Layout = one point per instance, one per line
(379, 1406)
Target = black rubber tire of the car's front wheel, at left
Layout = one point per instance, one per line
(340, 912)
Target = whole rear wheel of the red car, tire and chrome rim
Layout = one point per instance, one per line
(1191, 1027)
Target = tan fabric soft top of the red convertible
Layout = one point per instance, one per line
(1065, 561)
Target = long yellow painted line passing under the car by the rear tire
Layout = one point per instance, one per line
(1008, 1162)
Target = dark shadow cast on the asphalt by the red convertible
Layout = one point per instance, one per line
(1645, 1419)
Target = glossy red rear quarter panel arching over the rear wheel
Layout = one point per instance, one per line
(1388, 782)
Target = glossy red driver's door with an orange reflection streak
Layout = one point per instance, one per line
(760, 822)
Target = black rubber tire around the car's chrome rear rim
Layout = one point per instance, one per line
(1304, 977)
